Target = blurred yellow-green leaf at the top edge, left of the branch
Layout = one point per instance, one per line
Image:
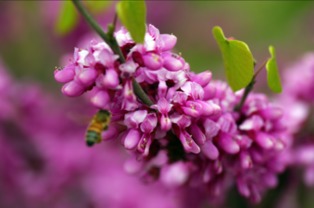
(67, 19)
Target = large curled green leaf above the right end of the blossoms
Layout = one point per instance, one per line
(238, 60)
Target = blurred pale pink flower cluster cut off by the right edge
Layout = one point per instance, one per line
(298, 98)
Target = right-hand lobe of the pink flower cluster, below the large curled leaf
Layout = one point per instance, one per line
(264, 145)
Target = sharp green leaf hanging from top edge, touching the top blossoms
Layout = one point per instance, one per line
(133, 16)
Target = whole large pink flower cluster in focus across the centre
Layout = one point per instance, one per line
(191, 134)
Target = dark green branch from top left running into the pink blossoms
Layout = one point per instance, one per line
(112, 42)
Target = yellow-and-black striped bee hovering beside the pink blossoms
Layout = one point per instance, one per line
(99, 122)
